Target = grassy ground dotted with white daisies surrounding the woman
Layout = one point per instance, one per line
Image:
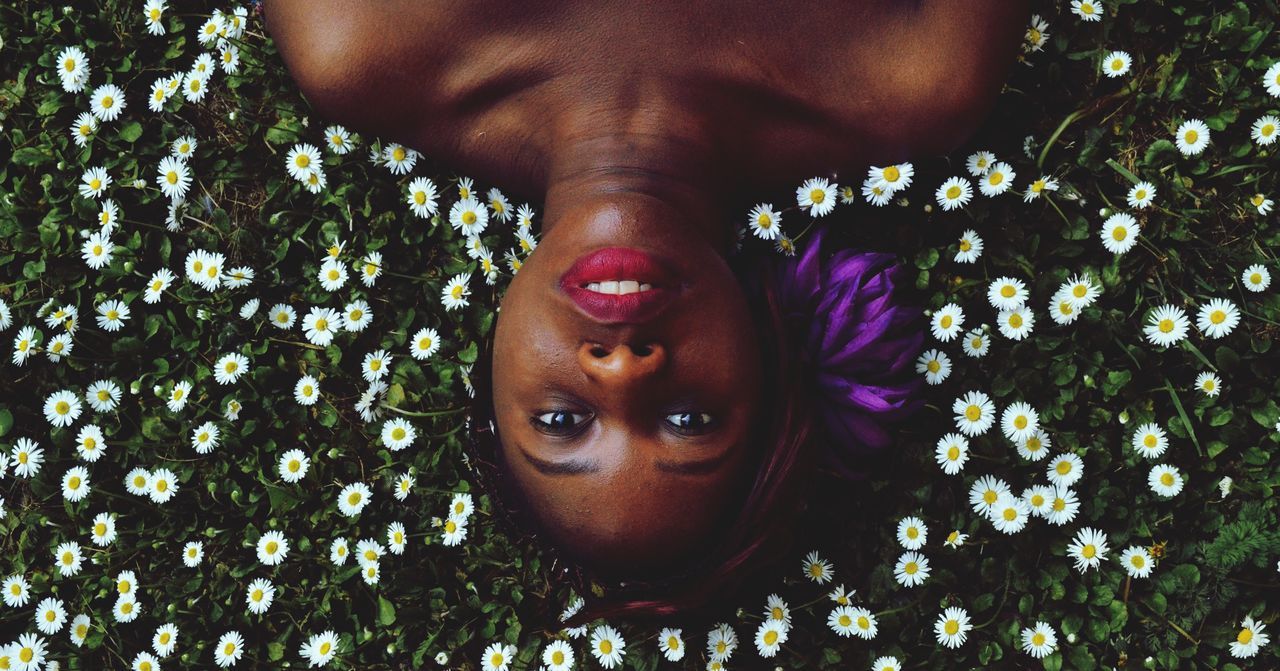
(240, 344)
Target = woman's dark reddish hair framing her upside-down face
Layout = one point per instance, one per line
(757, 535)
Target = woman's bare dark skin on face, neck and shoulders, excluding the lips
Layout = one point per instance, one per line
(646, 126)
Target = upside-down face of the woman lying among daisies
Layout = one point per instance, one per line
(627, 385)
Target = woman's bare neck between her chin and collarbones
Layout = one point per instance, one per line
(679, 174)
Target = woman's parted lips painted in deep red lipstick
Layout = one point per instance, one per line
(614, 264)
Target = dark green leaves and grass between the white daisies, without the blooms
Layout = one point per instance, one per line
(1092, 382)
